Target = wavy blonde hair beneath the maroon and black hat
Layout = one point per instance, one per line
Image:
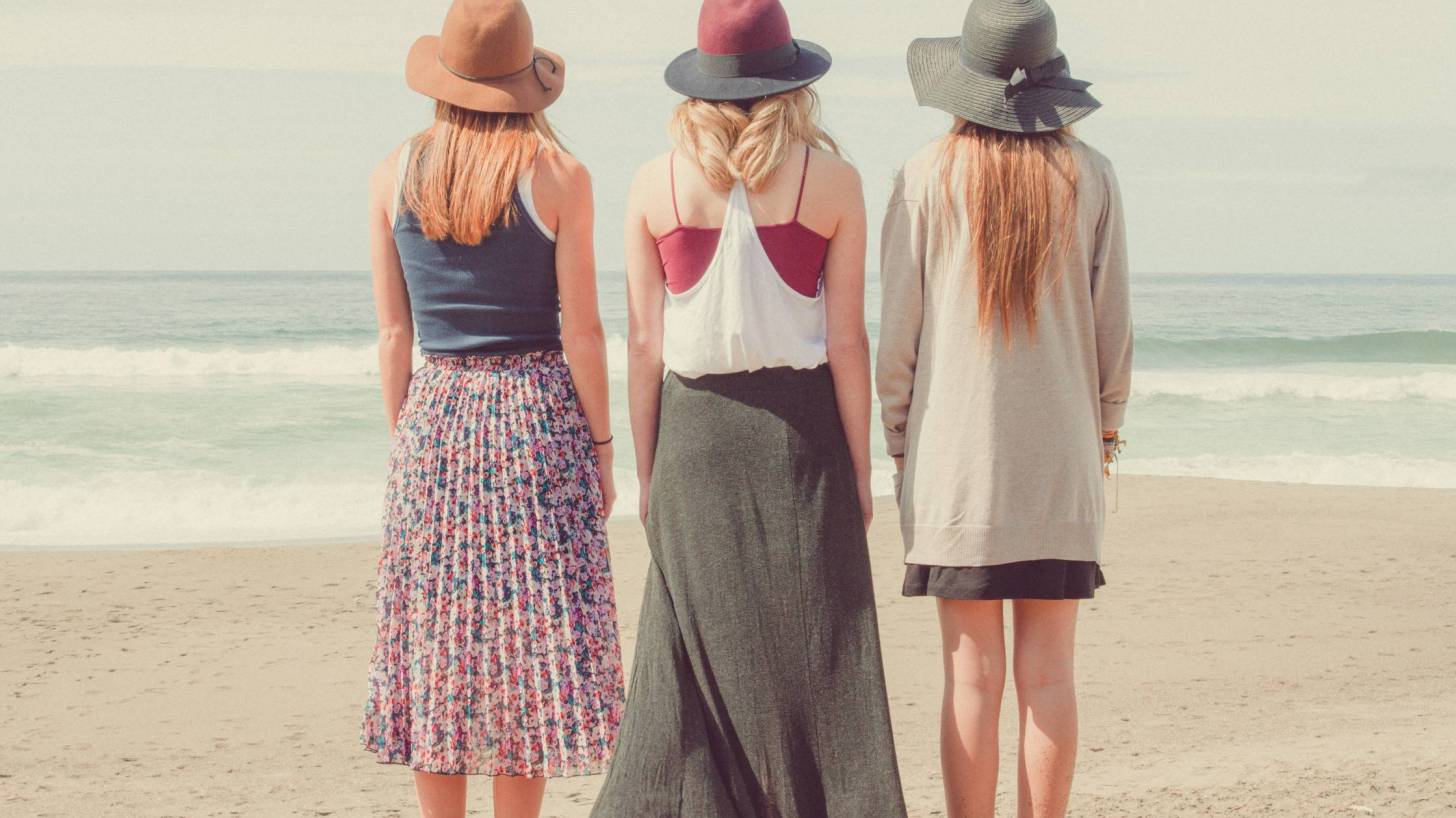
(730, 143)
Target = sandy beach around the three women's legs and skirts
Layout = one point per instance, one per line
(1262, 650)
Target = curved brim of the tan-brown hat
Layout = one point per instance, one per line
(518, 94)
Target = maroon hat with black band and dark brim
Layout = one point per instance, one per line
(745, 52)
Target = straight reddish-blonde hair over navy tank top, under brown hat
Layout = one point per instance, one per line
(464, 170)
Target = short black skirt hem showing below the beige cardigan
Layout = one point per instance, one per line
(1030, 580)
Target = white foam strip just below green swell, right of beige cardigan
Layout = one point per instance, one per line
(1230, 386)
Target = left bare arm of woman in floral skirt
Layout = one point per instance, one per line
(397, 330)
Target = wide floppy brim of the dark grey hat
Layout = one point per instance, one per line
(941, 81)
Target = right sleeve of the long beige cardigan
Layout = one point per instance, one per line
(1112, 309)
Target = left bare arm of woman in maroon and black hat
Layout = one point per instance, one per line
(646, 298)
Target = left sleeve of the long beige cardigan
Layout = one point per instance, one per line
(902, 277)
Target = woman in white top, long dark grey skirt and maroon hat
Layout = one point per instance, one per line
(758, 688)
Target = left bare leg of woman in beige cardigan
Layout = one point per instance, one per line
(975, 648)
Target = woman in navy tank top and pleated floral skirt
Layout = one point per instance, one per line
(497, 648)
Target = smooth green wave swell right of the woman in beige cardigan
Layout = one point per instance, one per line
(1415, 347)
